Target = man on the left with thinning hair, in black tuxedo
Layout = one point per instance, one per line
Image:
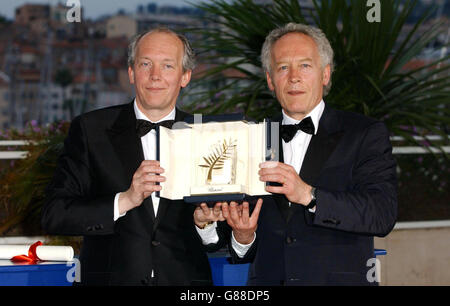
(105, 183)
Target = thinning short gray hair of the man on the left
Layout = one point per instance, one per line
(188, 55)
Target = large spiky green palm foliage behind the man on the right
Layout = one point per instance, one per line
(370, 58)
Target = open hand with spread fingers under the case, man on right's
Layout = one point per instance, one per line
(238, 217)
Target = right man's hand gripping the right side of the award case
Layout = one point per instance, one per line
(293, 187)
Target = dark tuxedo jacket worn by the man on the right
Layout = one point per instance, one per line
(350, 163)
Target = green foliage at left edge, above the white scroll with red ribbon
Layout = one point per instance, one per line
(23, 183)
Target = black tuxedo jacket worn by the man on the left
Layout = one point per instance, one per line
(101, 154)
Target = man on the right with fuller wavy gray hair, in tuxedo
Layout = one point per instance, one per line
(334, 187)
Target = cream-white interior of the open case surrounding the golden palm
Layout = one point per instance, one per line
(183, 150)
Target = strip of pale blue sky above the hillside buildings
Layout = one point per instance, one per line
(92, 8)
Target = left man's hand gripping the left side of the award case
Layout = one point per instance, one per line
(142, 185)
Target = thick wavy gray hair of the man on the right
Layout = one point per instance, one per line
(326, 53)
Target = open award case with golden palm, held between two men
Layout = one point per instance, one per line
(215, 158)
